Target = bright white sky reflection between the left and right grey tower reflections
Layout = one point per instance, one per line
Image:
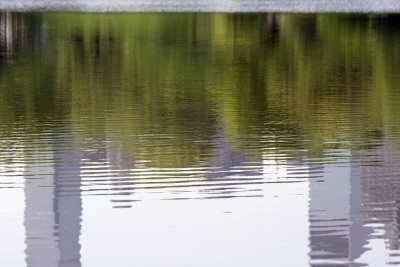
(221, 232)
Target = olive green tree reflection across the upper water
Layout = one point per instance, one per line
(161, 87)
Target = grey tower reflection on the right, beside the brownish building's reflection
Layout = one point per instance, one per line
(337, 232)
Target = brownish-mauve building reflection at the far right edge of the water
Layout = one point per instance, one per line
(380, 185)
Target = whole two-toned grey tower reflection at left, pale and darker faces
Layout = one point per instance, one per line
(53, 205)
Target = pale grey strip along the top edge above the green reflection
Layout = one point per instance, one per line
(306, 6)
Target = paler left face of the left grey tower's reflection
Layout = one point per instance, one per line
(40, 220)
